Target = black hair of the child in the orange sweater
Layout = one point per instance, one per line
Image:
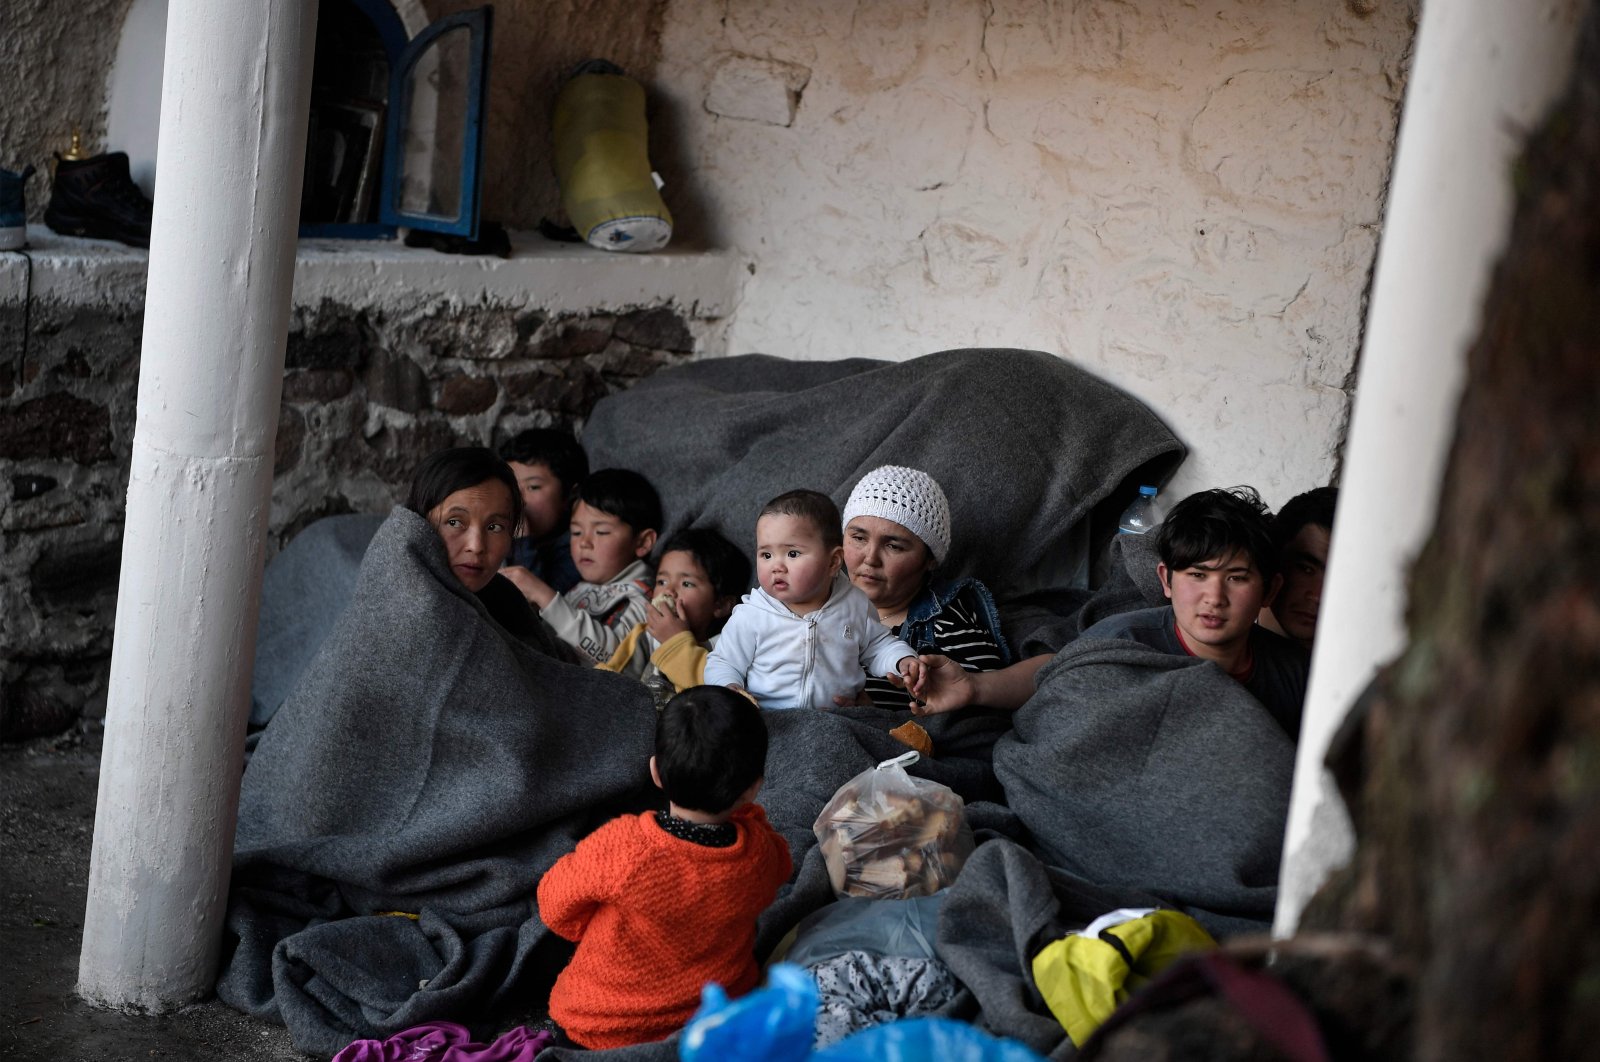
(711, 748)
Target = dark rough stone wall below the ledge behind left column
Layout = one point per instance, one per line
(367, 393)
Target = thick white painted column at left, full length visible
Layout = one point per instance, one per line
(233, 143)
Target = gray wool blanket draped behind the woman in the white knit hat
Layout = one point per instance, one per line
(1026, 445)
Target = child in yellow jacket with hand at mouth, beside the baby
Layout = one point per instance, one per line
(698, 581)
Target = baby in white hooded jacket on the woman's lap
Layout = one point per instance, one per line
(806, 636)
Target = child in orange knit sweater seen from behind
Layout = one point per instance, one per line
(665, 903)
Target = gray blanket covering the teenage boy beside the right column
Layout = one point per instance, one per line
(1140, 770)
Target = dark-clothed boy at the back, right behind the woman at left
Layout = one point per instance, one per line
(550, 465)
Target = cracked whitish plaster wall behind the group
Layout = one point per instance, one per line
(1182, 196)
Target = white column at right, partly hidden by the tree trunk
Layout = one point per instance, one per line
(1486, 74)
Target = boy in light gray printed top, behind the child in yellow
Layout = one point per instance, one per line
(614, 529)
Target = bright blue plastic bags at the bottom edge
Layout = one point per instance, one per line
(775, 1024)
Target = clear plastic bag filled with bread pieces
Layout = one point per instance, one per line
(890, 836)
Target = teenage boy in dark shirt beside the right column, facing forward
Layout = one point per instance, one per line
(1218, 570)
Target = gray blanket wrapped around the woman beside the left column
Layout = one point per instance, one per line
(430, 764)
